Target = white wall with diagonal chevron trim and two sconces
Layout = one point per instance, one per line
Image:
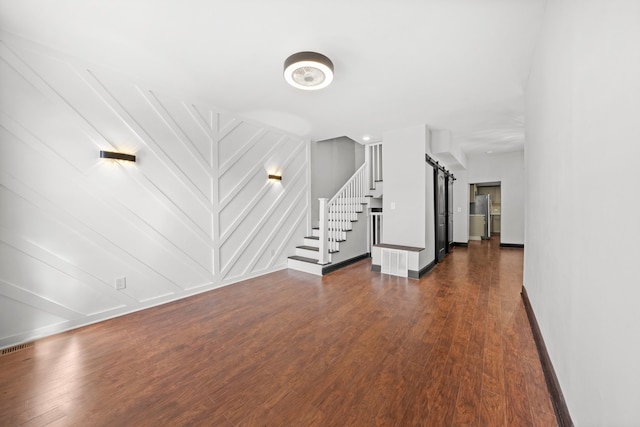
(196, 210)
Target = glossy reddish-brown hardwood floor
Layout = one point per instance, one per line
(290, 349)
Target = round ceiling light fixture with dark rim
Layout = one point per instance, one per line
(308, 70)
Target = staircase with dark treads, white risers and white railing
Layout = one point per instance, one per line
(345, 233)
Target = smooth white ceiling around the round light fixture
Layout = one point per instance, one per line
(460, 65)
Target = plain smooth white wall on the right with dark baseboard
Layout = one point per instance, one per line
(582, 227)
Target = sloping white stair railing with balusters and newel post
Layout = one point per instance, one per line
(337, 213)
